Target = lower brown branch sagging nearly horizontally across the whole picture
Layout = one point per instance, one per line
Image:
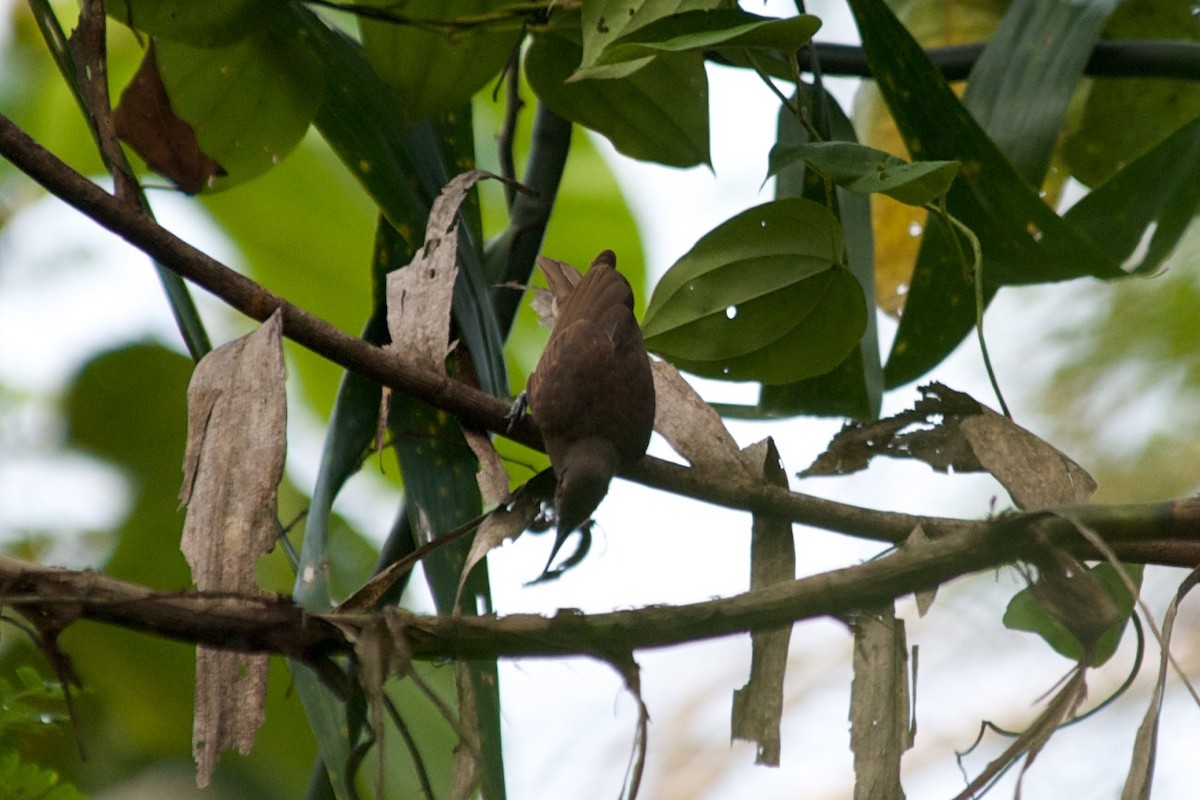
(275, 625)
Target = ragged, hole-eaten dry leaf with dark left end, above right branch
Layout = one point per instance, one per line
(952, 431)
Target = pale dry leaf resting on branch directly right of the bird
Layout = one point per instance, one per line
(691, 425)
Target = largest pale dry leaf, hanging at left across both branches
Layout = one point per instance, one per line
(232, 471)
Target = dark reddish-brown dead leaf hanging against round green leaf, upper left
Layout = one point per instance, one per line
(165, 142)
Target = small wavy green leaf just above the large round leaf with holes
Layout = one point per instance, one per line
(860, 169)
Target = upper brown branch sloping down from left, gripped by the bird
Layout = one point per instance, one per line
(478, 410)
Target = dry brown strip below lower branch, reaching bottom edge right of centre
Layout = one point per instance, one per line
(879, 703)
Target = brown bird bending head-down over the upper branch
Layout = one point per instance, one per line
(592, 393)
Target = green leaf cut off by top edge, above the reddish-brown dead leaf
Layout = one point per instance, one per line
(213, 23)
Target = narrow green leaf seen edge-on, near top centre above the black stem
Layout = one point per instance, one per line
(697, 32)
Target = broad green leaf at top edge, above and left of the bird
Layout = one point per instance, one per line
(435, 73)
